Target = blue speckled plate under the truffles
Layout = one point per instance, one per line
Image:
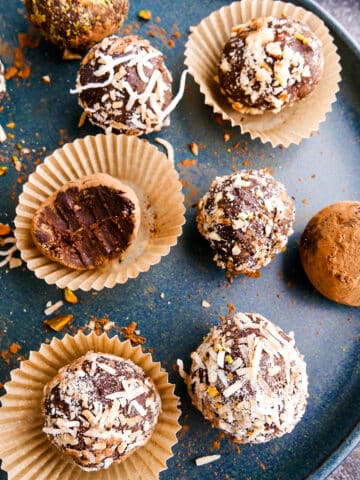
(319, 171)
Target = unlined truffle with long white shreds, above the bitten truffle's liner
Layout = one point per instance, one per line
(124, 86)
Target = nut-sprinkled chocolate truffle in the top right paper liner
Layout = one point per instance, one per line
(269, 63)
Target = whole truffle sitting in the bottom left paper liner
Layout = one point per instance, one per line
(100, 409)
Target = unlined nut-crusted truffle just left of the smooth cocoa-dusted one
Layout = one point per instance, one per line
(247, 217)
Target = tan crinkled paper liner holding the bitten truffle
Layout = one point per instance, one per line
(136, 163)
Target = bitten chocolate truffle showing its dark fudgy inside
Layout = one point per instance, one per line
(87, 222)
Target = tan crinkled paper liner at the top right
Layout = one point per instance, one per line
(292, 124)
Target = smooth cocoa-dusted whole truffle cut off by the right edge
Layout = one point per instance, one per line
(330, 252)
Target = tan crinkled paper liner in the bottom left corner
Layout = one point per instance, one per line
(25, 450)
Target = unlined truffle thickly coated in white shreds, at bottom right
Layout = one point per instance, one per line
(249, 379)
